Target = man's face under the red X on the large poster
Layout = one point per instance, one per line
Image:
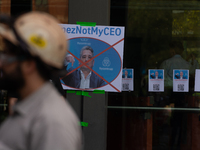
(85, 56)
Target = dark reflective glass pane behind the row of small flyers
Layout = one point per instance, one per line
(159, 35)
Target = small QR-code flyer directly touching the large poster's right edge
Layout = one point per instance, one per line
(127, 79)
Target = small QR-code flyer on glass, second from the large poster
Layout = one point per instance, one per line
(156, 80)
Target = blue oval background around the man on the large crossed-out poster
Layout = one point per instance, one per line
(107, 64)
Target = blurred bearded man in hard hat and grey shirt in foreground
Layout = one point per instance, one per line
(34, 50)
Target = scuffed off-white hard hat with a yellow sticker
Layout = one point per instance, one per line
(42, 34)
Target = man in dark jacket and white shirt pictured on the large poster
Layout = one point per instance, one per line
(83, 78)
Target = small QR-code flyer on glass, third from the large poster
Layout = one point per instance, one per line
(180, 80)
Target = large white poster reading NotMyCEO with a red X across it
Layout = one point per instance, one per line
(94, 59)
